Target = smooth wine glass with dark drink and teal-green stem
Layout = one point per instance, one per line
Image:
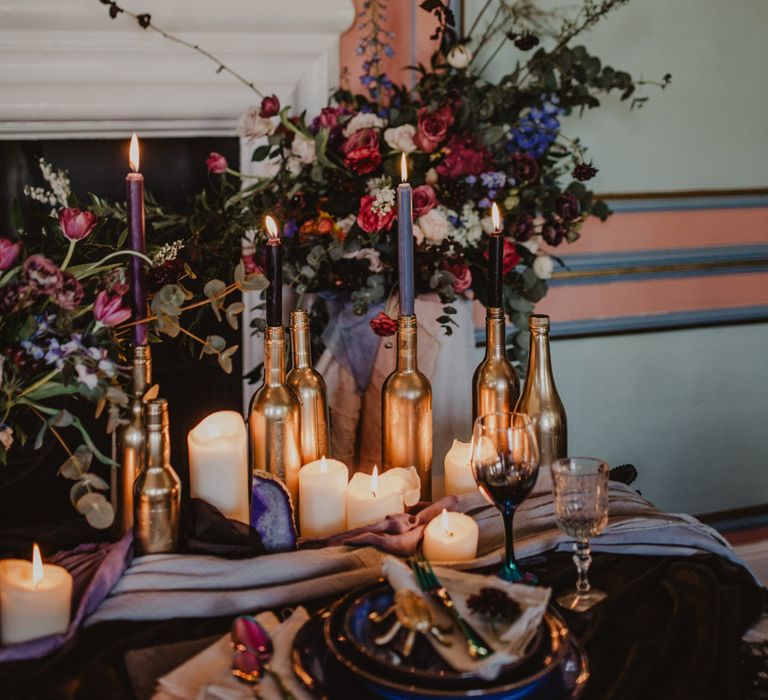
(505, 464)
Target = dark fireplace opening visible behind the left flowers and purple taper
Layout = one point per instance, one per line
(174, 169)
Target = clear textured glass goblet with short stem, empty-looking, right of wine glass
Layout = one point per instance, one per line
(580, 486)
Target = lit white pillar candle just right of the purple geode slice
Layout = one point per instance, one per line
(322, 497)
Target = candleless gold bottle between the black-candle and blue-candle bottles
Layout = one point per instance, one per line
(308, 384)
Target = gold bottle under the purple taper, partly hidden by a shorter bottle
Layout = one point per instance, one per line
(133, 444)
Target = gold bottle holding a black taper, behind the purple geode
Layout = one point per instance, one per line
(274, 419)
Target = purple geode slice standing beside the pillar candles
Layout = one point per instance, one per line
(272, 513)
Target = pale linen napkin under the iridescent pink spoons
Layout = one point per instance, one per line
(208, 676)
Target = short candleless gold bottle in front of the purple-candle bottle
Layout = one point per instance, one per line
(157, 492)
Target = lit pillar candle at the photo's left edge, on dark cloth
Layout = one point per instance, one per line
(35, 599)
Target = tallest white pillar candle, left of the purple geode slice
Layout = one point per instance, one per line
(218, 464)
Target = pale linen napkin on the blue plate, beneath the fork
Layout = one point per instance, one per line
(508, 646)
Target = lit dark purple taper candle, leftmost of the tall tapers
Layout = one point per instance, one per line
(134, 185)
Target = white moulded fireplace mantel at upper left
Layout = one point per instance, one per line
(68, 71)
